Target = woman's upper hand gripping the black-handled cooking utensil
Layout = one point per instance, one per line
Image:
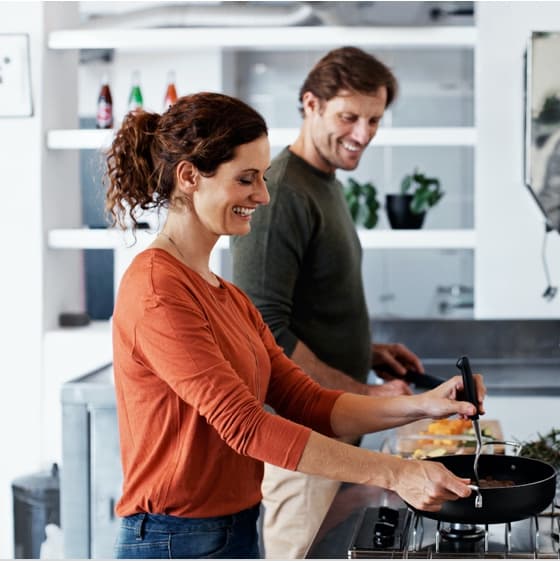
(447, 399)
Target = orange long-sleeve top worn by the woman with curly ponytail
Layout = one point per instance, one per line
(193, 366)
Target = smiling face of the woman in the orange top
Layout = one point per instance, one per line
(225, 202)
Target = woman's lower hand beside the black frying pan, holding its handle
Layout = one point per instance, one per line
(426, 485)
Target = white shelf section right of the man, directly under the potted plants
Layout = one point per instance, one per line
(418, 239)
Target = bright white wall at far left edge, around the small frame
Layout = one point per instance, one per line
(21, 280)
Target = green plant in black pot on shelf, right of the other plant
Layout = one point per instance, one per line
(418, 193)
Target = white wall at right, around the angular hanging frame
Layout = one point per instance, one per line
(509, 277)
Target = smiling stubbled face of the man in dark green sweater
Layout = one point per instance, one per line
(340, 129)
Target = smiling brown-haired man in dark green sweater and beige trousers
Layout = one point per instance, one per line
(301, 265)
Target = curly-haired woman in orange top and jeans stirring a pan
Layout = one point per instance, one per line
(194, 362)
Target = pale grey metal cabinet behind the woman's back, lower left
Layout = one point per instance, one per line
(91, 475)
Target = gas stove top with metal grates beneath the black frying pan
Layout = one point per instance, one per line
(387, 532)
